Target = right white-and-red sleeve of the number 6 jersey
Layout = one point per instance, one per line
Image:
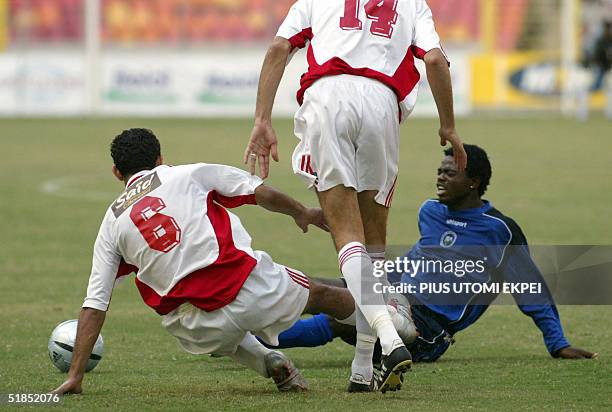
(232, 187)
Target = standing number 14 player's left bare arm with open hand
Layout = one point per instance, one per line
(263, 140)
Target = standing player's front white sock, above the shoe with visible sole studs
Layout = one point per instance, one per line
(356, 266)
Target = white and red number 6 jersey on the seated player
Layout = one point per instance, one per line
(170, 225)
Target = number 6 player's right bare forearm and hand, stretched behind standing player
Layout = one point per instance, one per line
(276, 201)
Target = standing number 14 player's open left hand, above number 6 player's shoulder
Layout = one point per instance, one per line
(262, 143)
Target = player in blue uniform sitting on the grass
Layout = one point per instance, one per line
(459, 226)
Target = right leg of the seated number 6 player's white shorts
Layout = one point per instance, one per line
(271, 300)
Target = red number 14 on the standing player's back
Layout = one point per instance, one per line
(381, 12)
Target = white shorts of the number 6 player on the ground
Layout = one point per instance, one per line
(271, 300)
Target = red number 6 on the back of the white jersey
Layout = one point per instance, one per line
(160, 231)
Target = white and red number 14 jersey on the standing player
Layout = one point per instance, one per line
(378, 39)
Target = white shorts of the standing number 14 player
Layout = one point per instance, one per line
(348, 127)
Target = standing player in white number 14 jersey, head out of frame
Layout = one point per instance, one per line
(360, 85)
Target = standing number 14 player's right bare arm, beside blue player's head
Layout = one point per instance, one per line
(439, 79)
